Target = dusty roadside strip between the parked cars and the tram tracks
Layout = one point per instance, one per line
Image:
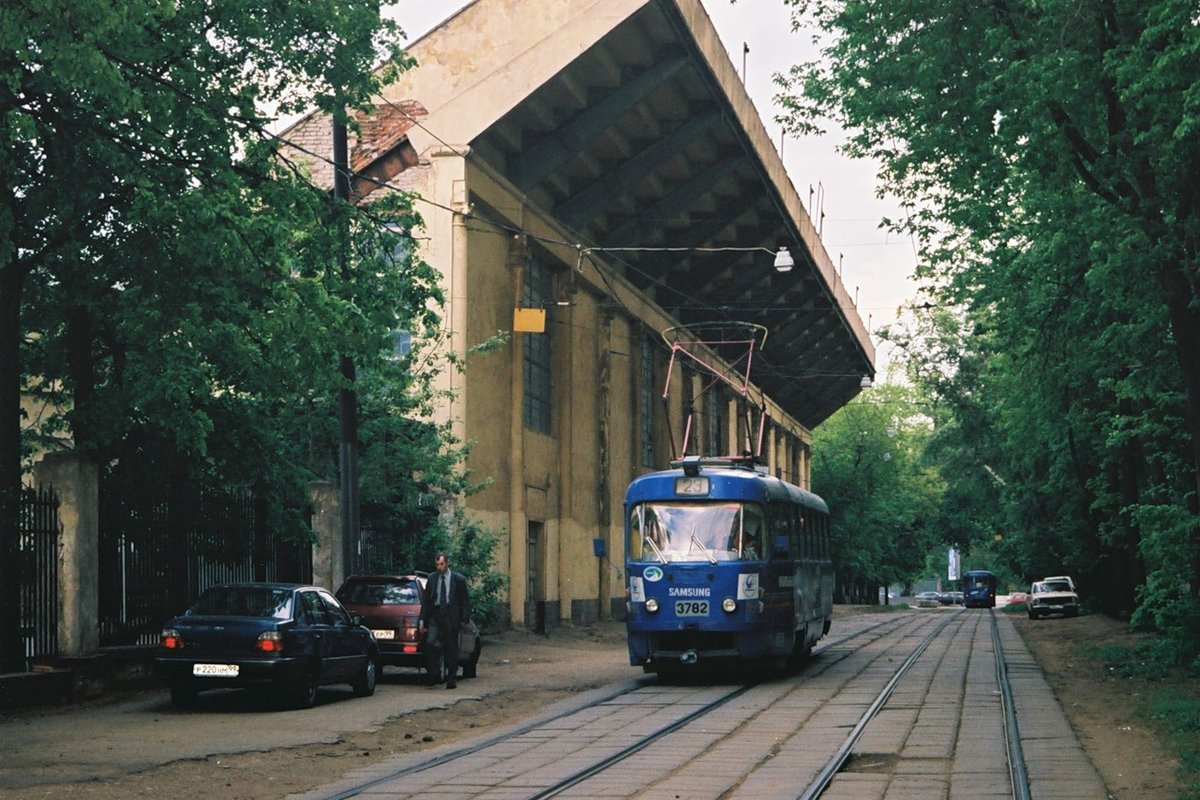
(147, 731)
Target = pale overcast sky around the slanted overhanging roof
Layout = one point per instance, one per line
(875, 267)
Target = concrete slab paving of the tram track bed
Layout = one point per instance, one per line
(940, 736)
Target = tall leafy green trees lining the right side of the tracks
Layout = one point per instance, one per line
(1049, 155)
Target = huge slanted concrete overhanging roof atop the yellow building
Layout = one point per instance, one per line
(626, 122)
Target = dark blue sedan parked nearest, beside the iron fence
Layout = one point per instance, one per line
(281, 637)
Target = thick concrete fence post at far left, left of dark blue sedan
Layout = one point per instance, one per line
(76, 482)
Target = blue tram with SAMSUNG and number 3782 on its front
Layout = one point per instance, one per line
(725, 566)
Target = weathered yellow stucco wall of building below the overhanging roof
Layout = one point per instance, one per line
(568, 485)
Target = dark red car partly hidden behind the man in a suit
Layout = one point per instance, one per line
(391, 605)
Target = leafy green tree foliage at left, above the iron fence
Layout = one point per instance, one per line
(165, 276)
